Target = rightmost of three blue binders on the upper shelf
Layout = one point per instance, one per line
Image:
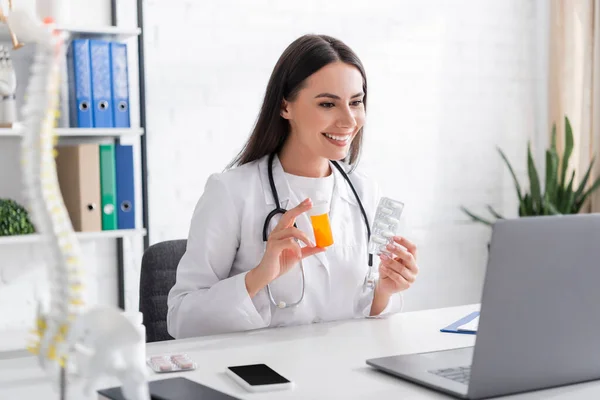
(120, 84)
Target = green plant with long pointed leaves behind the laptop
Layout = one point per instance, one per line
(559, 195)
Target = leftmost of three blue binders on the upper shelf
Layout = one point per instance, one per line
(80, 84)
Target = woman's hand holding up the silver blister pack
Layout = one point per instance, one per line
(398, 273)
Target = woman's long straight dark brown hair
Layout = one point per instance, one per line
(302, 58)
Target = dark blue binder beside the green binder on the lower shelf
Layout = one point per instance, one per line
(125, 187)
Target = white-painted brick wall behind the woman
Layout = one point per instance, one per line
(448, 81)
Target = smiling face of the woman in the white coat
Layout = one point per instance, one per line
(328, 112)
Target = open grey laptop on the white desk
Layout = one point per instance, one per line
(539, 323)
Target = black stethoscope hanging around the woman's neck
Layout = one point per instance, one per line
(369, 282)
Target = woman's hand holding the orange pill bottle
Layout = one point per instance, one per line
(282, 250)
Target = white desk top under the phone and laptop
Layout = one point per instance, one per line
(327, 361)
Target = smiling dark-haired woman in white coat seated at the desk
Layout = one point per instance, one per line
(251, 260)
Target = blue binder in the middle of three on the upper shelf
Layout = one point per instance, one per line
(101, 84)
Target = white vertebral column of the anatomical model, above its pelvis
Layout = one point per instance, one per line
(42, 191)
